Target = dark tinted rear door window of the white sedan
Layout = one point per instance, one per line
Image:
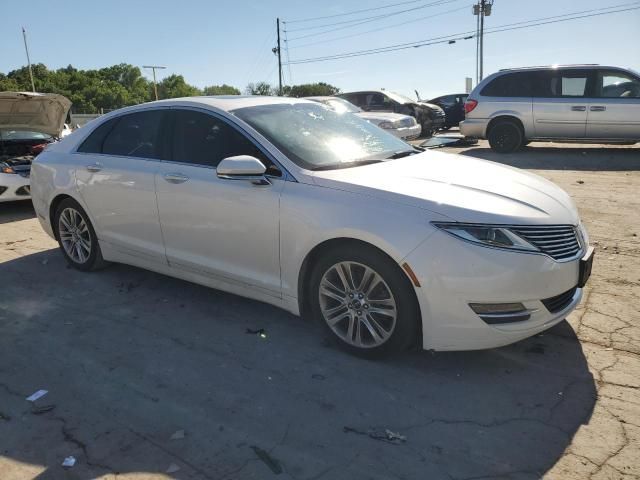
(136, 135)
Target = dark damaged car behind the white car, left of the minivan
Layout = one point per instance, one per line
(430, 117)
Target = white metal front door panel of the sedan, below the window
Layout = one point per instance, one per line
(225, 228)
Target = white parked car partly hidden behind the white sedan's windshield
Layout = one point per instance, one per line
(402, 126)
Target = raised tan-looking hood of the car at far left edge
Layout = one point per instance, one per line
(38, 112)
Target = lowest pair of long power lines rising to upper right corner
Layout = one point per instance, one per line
(469, 34)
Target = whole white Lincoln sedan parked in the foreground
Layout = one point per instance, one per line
(325, 215)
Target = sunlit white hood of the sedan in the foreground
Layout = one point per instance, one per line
(461, 188)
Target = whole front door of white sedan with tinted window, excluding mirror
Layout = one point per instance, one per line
(227, 230)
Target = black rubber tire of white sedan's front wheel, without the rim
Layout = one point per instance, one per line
(406, 330)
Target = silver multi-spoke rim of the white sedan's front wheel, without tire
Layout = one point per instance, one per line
(357, 304)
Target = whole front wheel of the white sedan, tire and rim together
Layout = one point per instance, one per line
(364, 301)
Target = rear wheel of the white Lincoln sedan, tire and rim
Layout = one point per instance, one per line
(76, 237)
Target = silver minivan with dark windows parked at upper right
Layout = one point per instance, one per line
(584, 103)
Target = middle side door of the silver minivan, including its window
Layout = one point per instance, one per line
(561, 101)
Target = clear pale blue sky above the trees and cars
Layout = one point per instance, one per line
(214, 42)
